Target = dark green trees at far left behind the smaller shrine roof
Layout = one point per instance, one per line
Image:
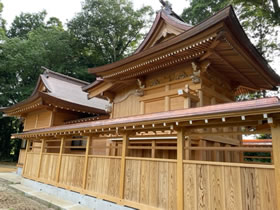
(20, 66)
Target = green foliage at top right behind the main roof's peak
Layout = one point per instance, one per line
(258, 18)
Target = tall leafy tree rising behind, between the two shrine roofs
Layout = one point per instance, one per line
(108, 30)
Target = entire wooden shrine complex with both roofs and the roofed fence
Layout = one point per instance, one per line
(161, 129)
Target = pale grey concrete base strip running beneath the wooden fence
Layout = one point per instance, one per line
(77, 198)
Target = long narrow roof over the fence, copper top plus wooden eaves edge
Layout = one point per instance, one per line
(226, 110)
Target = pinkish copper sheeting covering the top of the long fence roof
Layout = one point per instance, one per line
(228, 108)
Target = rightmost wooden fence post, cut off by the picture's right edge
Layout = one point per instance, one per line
(275, 131)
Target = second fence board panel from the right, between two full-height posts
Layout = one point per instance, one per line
(151, 183)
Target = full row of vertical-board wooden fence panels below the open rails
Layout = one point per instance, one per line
(151, 183)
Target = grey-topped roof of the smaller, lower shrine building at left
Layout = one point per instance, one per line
(58, 89)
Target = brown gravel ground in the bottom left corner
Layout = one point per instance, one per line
(11, 199)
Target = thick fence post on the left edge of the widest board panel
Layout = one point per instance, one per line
(180, 168)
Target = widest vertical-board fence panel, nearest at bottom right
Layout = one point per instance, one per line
(209, 186)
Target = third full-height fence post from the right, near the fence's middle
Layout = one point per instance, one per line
(125, 143)
